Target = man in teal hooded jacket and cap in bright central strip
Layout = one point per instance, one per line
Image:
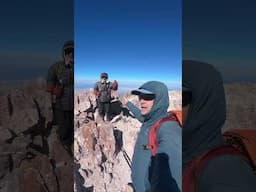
(164, 171)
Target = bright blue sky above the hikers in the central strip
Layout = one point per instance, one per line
(131, 40)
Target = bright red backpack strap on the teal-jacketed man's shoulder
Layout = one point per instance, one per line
(152, 136)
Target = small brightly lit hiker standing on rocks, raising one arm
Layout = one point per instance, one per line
(102, 91)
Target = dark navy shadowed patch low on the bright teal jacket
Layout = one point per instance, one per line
(160, 176)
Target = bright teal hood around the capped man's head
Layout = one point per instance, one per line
(161, 101)
